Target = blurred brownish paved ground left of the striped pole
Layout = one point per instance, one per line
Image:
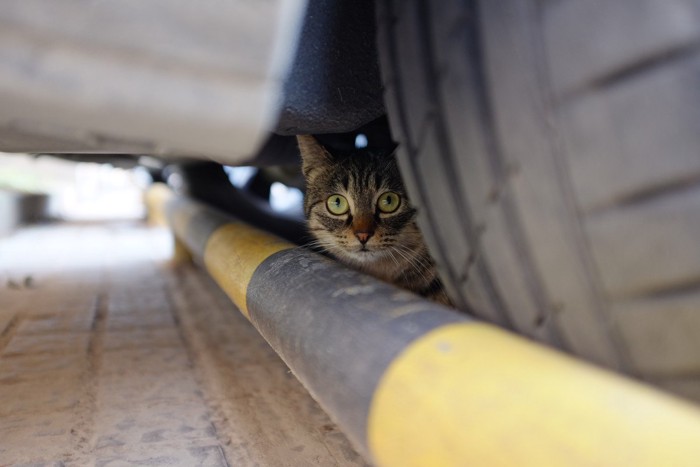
(112, 355)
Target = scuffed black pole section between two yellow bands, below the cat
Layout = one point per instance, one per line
(334, 350)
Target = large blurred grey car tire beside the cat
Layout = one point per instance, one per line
(552, 149)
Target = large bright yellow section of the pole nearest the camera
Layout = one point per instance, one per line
(471, 394)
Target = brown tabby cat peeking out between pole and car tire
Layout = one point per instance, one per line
(358, 212)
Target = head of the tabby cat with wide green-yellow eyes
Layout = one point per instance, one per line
(357, 206)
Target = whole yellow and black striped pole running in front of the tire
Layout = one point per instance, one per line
(413, 383)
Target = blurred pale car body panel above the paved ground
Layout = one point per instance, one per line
(166, 77)
